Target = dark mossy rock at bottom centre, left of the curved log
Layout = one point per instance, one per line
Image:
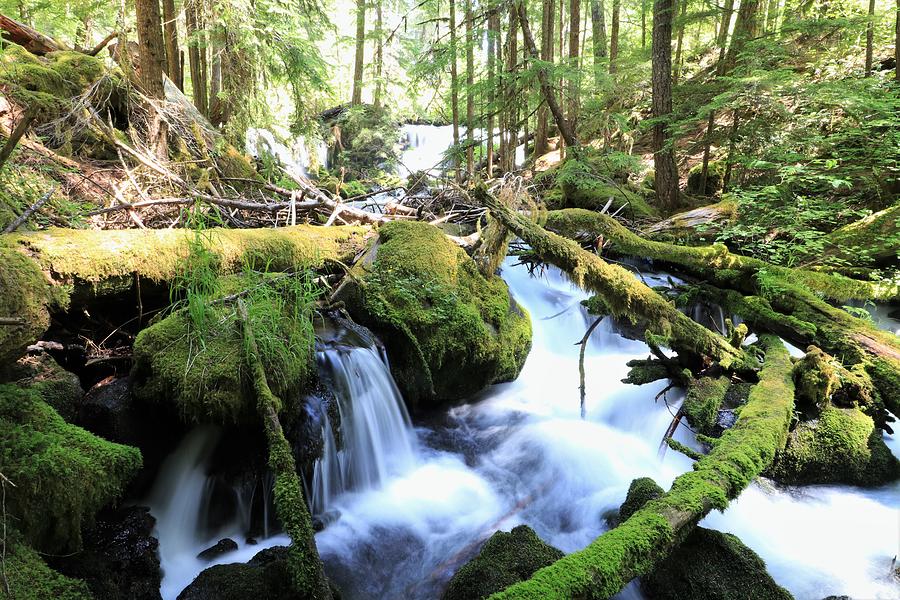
(505, 559)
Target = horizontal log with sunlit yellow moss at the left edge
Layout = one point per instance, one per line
(40, 271)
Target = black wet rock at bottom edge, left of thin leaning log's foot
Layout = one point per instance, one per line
(265, 576)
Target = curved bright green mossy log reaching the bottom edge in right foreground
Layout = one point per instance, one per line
(637, 546)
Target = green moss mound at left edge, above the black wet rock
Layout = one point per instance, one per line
(63, 474)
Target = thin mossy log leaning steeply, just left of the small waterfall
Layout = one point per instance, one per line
(307, 573)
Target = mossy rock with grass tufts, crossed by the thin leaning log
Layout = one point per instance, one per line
(203, 374)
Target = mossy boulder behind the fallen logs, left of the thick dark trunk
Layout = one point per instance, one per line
(584, 187)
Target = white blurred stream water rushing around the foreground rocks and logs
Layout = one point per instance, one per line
(407, 514)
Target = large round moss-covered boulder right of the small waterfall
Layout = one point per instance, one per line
(449, 330)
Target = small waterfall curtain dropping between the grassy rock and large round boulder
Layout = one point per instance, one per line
(375, 427)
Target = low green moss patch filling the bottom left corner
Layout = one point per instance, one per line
(30, 578)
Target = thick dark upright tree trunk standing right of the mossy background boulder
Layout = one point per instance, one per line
(666, 171)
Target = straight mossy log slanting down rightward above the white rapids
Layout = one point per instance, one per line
(625, 296)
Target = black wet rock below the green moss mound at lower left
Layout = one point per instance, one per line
(120, 559)
